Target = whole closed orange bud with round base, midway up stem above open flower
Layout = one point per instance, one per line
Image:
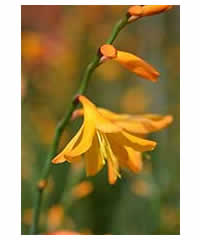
(129, 61)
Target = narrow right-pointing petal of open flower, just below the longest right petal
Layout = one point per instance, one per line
(137, 143)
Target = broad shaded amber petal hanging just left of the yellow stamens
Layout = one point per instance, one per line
(94, 159)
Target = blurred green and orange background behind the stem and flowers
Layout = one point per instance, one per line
(57, 44)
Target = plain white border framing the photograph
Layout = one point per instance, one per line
(10, 118)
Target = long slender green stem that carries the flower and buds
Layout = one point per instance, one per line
(61, 125)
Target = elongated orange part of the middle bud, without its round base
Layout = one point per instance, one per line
(137, 65)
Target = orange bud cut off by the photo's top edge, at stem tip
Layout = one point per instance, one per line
(137, 11)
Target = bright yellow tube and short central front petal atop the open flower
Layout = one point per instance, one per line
(92, 115)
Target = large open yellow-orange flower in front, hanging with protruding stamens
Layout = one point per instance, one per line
(101, 140)
